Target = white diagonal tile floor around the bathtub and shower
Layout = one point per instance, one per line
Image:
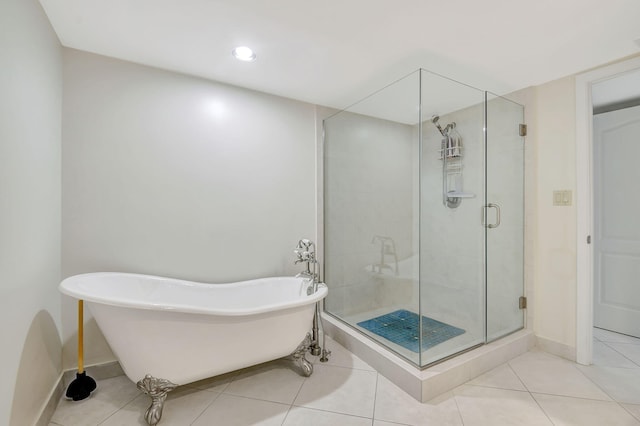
(534, 389)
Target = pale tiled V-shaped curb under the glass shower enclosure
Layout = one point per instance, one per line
(426, 384)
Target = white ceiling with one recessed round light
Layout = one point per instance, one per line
(336, 52)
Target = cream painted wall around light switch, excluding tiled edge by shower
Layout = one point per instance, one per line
(555, 287)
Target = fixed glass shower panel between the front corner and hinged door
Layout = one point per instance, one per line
(452, 240)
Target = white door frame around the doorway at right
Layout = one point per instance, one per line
(584, 201)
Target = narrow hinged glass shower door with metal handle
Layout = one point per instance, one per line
(504, 216)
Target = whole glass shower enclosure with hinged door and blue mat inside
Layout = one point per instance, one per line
(423, 217)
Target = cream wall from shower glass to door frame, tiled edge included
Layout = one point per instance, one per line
(550, 231)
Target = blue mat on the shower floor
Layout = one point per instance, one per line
(402, 328)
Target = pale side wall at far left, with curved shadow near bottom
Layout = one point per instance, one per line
(30, 120)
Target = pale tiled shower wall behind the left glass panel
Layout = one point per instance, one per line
(369, 191)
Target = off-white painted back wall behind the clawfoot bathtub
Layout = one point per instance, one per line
(176, 176)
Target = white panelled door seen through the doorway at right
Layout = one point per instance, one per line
(616, 141)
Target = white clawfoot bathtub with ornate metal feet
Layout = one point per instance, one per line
(168, 332)
